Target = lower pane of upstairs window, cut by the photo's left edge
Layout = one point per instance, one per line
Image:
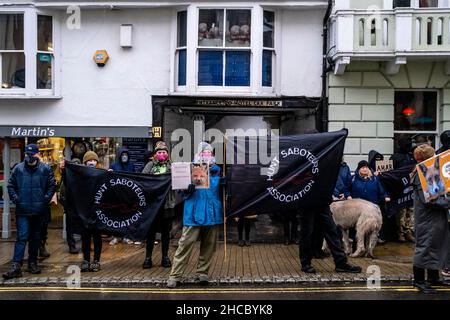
(13, 70)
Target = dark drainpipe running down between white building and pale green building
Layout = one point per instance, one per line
(322, 114)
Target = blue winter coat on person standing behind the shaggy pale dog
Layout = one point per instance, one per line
(368, 189)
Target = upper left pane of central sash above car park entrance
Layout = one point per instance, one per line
(210, 28)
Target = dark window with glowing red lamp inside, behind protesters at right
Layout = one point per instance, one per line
(416, 116)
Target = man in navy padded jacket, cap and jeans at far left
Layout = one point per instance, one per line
(31, 187)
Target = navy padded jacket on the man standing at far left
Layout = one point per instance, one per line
(31, 189)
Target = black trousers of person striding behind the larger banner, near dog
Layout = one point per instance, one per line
(330, 231)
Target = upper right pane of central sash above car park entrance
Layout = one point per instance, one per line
(238, 28)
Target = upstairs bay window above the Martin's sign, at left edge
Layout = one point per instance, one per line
(27, 66)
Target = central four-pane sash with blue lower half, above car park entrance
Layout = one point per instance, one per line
(225, 67)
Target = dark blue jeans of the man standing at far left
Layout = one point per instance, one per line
(28, 229)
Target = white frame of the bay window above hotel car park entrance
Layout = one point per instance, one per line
(256, 51)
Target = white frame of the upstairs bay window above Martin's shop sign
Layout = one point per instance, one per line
(31, 51)
